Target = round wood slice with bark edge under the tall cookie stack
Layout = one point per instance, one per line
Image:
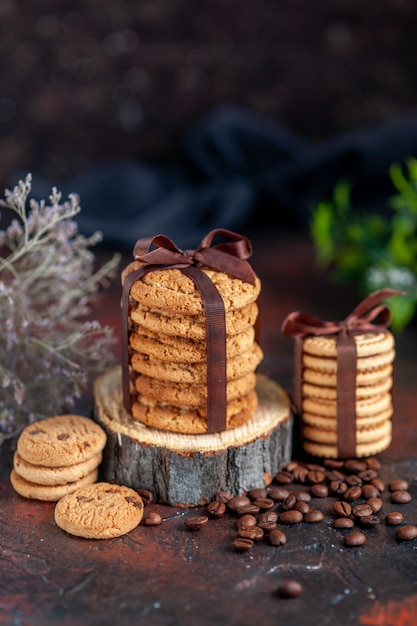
(188, 470)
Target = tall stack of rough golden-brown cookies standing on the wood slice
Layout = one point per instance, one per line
(168, 350)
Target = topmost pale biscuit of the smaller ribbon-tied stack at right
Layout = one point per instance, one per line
(367, 344)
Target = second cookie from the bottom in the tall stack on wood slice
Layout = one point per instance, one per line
(187, 394)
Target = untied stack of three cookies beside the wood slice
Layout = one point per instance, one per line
(56, 456)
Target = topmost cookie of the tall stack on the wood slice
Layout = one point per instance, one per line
(172, 290)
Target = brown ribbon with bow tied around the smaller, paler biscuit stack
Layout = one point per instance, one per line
(369, 316)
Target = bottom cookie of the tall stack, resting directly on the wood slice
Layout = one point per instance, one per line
(192, 421)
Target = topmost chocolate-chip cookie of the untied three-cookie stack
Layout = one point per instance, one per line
(61, 440)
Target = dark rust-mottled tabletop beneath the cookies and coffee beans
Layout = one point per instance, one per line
(168, 575)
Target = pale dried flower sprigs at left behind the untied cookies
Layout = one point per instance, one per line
(48, 351)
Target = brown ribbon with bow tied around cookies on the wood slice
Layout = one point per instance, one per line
(159, 252)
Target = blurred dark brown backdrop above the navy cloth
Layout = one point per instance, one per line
(86, 82)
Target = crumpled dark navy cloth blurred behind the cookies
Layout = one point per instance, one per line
(236, 171)
